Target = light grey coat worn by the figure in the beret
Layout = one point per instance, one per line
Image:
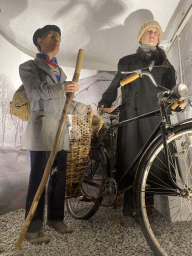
(47, 101)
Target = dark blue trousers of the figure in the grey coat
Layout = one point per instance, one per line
(55, 188)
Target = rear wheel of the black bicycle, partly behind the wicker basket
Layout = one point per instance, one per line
(85, 206)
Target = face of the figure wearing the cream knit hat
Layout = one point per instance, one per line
(150, 37)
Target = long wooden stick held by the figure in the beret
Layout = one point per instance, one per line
(52, 156)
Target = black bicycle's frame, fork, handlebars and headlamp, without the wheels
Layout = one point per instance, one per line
(162, 128)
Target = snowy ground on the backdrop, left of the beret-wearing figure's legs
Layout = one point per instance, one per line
(14, 176)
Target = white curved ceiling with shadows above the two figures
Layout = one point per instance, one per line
(106, 30)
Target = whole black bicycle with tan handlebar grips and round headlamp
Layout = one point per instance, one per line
(168, 149)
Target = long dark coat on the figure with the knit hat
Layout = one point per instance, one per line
(138, 97)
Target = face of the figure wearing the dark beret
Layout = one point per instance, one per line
(50, 43)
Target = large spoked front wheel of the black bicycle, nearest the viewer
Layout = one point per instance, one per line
(175, 221)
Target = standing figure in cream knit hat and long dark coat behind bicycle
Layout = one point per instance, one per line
(138, 97)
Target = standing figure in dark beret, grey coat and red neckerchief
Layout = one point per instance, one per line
(46, 86)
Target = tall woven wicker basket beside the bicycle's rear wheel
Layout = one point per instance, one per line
(83, 127)
